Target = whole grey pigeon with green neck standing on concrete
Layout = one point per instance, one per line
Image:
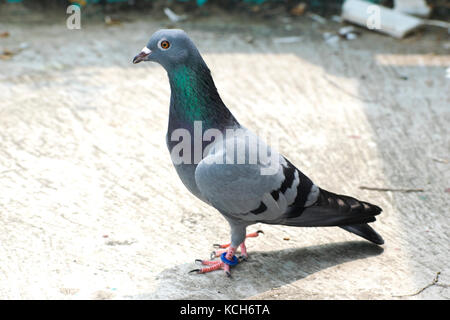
(229, 167)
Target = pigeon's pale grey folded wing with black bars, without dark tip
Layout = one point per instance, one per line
(267, 189)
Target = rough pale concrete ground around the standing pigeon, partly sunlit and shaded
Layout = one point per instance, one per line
(90, 206)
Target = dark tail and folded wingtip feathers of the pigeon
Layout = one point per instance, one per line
(338, 210)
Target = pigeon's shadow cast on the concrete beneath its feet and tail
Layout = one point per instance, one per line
(277, 268)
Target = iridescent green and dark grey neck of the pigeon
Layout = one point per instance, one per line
(194, 97)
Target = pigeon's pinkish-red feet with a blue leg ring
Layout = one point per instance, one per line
(227, 257)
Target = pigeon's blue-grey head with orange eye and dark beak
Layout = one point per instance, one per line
(169, 48)
